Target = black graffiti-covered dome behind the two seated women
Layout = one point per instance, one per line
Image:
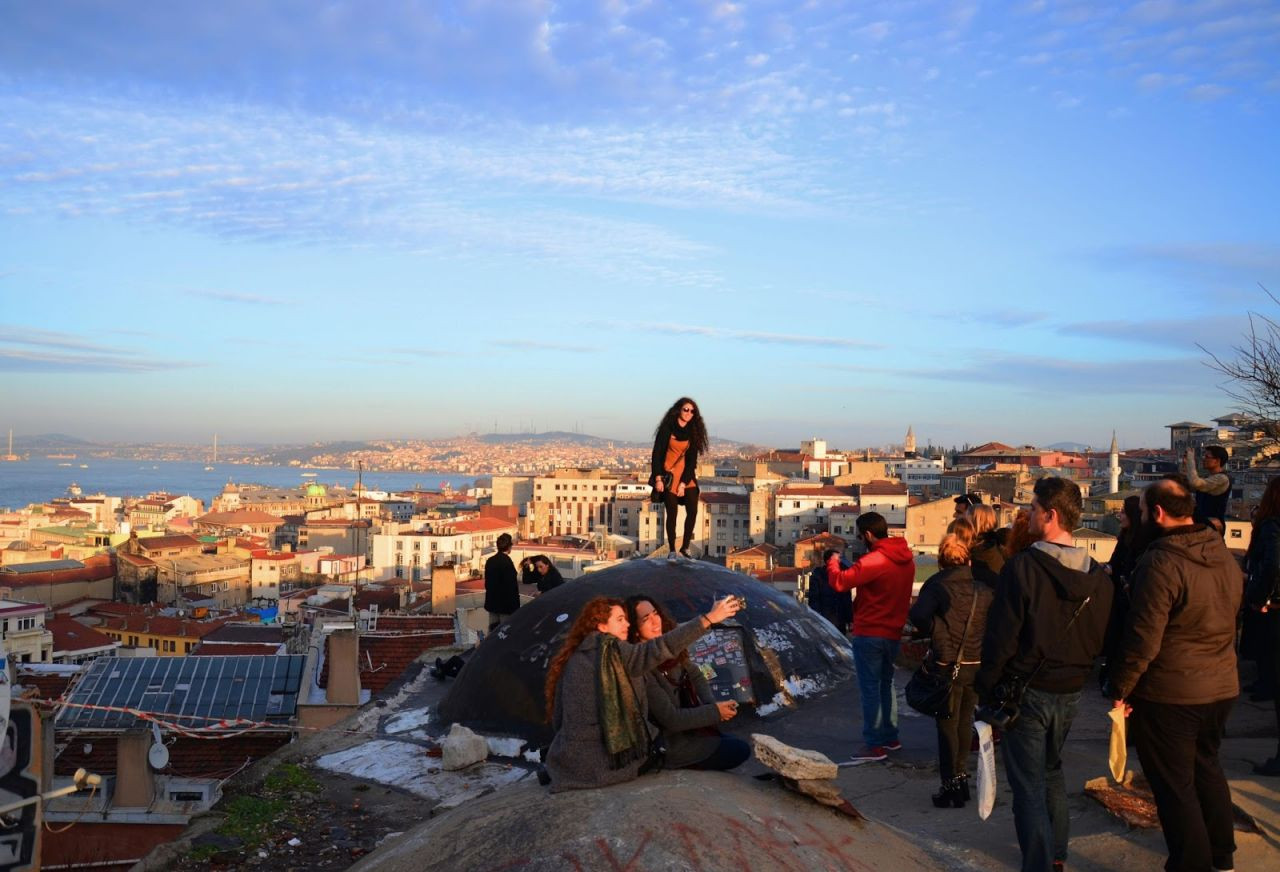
(774, 652)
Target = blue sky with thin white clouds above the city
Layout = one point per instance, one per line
(298, 221)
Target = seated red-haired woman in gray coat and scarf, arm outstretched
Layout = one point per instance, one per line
(597, 698)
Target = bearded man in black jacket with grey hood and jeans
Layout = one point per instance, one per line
(1031, 636)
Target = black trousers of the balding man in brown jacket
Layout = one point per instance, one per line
(1178, 747)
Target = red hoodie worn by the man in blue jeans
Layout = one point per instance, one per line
(885, 577)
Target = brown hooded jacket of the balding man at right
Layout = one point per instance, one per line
(1180, 638)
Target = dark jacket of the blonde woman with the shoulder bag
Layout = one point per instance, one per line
(943, 610)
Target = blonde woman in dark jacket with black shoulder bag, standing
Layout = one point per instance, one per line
(952, 613)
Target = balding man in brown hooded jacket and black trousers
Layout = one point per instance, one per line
(1176, 669)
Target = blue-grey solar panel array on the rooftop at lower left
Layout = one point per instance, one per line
(258, 688)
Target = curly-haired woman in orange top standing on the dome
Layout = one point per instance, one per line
(678, 442)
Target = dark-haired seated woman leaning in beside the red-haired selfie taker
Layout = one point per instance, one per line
(682, 702)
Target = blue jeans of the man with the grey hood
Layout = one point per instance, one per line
(1034, 765)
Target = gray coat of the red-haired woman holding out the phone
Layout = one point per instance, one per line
(577, 757)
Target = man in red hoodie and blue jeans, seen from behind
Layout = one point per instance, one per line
(884, 578)
